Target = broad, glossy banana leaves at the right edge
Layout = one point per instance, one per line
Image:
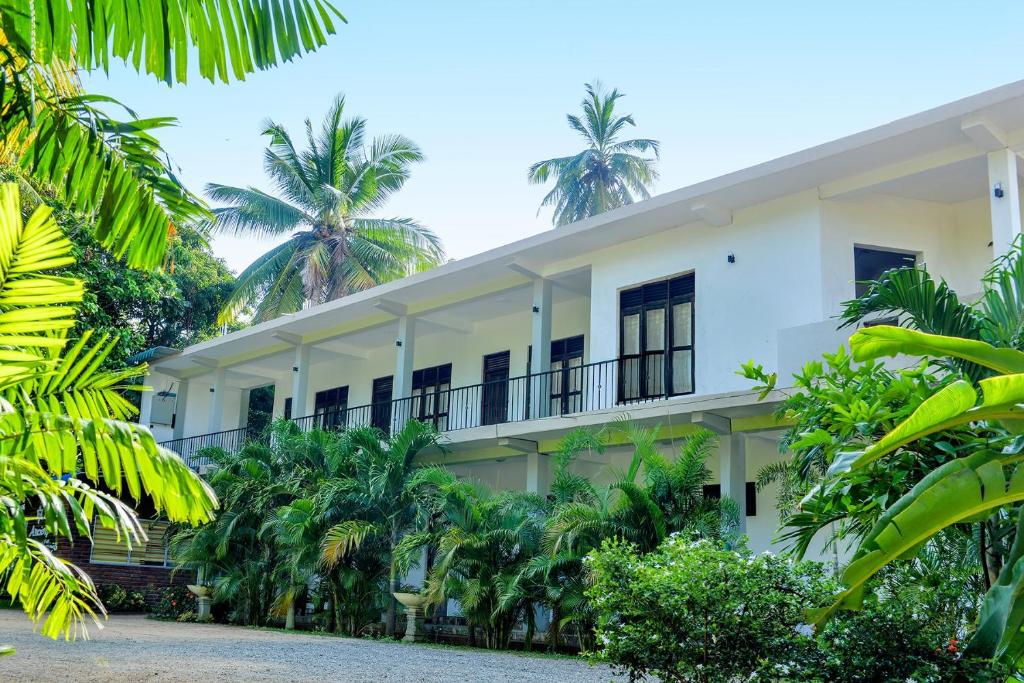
(964, 490)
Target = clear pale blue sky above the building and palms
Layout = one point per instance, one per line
(484, 89)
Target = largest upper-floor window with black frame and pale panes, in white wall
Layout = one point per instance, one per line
(657, 340)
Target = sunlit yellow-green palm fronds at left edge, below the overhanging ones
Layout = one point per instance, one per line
(67, 455)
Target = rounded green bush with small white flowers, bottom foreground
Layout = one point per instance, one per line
(693, 612)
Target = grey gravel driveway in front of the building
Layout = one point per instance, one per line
(135, 649)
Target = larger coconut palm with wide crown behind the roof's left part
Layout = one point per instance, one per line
(327, 193)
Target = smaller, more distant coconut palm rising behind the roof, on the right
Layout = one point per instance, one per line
(610, 174)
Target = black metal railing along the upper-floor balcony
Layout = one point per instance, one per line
(583, 389)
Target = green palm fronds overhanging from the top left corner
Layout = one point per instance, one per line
(116, 170)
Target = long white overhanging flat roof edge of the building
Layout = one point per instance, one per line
(897, 142)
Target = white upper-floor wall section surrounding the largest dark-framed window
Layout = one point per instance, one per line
(740, 308)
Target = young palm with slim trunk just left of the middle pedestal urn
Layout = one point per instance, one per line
(386, 489)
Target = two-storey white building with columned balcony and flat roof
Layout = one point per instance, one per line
(647, 311)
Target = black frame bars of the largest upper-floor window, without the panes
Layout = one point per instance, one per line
(660, 295)
